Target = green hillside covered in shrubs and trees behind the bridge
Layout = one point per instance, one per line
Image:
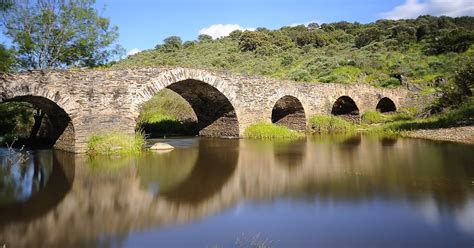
(383, 53)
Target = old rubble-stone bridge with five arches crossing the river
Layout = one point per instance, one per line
(79, 103)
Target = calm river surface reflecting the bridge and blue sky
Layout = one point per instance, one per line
(320, 192)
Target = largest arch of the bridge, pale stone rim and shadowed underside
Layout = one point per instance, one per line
(212, 99)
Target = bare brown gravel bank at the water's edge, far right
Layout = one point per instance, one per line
(455, 134)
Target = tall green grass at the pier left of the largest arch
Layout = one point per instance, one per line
(115, 143)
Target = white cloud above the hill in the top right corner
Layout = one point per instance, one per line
(415, 8)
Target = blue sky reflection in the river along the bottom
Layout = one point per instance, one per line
(289, 223)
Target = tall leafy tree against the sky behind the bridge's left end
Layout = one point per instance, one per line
(59, 33)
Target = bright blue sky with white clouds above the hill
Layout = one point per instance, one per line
(145, 23)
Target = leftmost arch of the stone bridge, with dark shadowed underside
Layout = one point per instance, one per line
(57, 127)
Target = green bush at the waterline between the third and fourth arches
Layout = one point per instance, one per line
(325, 124)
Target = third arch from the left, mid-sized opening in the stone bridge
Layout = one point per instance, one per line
(288, 111)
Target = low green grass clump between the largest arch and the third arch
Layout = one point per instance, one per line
(265, 130)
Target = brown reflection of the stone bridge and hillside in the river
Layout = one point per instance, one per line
(101, 201)
